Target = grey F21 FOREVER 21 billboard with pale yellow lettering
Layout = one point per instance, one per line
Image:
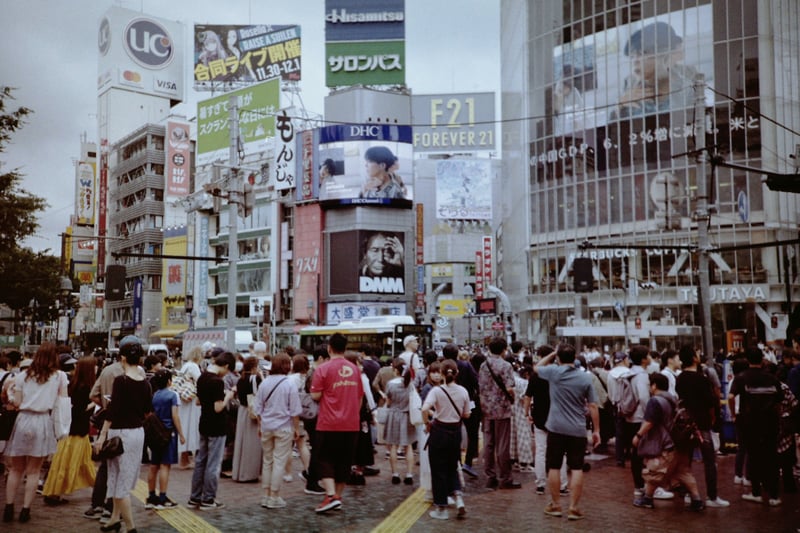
(453, 122)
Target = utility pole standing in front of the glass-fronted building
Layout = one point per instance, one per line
(702, 216)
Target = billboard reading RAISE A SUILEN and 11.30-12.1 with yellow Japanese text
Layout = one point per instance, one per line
(245, 54)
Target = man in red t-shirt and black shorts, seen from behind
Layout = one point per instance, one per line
(337, 387)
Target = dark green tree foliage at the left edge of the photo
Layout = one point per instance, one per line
(25, 275)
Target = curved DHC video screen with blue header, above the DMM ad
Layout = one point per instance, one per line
(364, 165)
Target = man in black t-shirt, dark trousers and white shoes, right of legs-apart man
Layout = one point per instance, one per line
(696, 392)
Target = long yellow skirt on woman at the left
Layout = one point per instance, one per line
(72, 467)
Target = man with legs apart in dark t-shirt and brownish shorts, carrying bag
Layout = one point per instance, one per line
(664, 461)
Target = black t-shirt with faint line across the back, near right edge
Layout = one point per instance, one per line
(759, 397)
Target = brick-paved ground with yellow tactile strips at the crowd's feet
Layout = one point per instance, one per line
(381, 506)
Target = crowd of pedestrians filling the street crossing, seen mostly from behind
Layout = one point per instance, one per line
(541, 411)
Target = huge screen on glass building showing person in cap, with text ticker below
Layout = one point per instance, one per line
(624, 97)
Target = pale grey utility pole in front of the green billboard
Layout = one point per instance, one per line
(234, 193)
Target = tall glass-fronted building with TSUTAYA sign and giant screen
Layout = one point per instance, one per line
(609, 93)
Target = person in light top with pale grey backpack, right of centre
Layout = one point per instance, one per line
(634, 392)
